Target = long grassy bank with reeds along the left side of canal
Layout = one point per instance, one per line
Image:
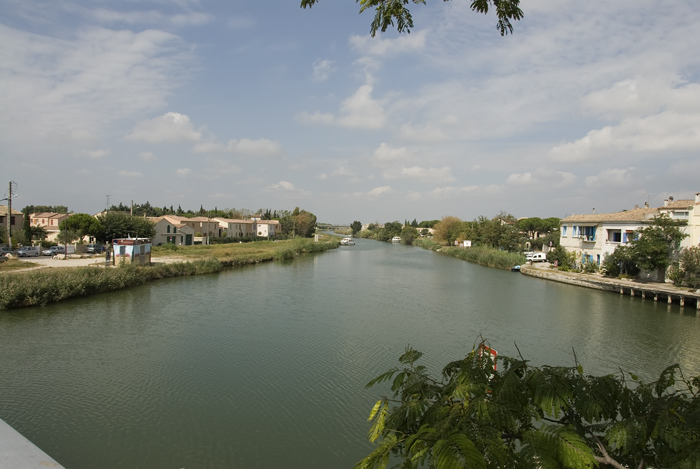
(44, 286)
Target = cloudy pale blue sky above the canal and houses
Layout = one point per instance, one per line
(253, 104)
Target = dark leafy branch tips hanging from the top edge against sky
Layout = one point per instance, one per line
(388, 11)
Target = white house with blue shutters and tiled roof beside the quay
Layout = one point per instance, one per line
(593, 236)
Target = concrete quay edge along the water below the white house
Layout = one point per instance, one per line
(646, 290)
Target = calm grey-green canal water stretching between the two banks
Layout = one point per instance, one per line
(265, 366)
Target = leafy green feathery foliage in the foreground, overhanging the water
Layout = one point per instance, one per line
(515, 415)
